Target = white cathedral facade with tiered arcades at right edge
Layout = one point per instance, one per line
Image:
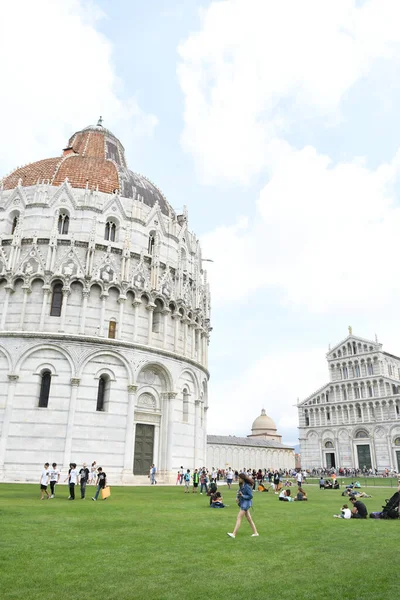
(354, 420)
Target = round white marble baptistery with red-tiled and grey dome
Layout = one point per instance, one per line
(105, 319)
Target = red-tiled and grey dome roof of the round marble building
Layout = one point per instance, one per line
(94, 158)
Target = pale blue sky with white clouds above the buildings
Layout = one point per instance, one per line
(276, 124)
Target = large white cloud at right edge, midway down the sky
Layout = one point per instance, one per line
(325, 236)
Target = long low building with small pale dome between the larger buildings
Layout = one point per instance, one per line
(262, 449)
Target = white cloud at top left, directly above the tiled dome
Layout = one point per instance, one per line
(57, 77)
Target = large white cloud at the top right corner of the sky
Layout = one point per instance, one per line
(256, 67)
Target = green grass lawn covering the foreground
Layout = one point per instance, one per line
(158, 543)
